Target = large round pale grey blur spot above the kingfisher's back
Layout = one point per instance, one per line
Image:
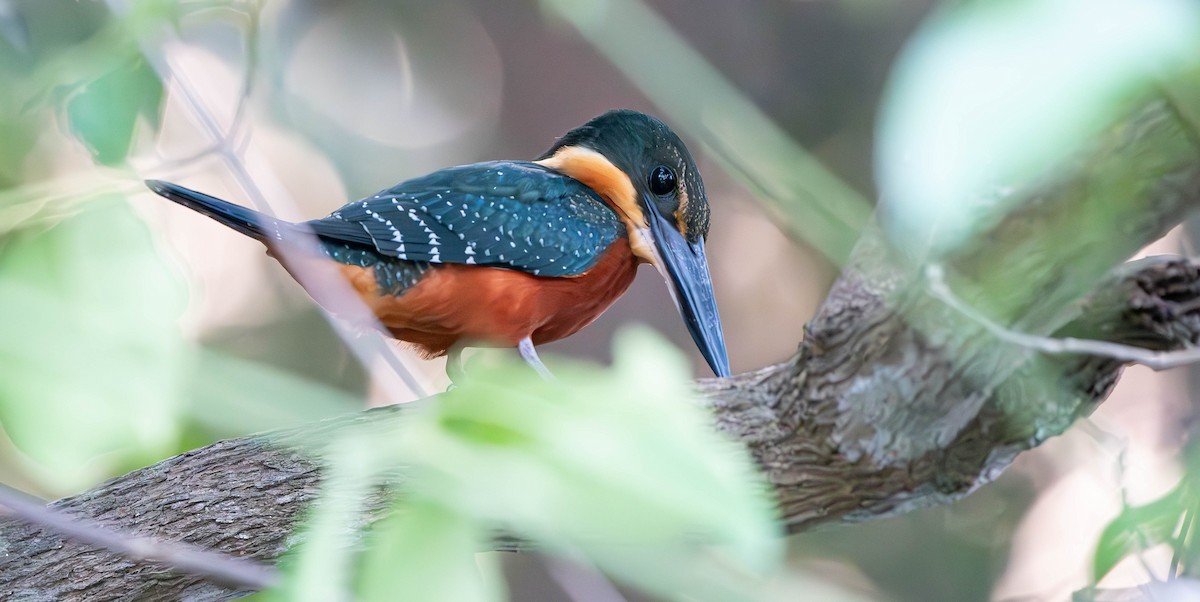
(395, 116)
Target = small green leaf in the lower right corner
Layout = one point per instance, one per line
(1138, 528)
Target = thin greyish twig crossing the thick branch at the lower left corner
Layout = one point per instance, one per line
(221, 569)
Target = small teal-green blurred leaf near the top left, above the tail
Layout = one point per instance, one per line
(104, 113)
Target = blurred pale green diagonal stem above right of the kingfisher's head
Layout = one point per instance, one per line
(814, 206)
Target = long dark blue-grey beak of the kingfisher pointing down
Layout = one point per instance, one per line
(686, 269)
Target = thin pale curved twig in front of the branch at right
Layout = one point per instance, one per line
(935, 276)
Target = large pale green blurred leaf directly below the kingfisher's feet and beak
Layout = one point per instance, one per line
(622, 467)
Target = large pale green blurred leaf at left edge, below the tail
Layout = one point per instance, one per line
(92, 359)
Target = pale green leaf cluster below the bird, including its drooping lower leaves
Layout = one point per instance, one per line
(617, 466)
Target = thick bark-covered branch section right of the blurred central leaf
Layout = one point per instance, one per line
(898, 401)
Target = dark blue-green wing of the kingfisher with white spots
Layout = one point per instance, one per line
(500, 214)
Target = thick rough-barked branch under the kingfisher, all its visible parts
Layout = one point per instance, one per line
(893, 401)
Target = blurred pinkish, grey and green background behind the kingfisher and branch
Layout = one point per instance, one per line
(133, 329)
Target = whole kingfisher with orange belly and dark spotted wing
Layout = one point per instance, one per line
(515, 254)
